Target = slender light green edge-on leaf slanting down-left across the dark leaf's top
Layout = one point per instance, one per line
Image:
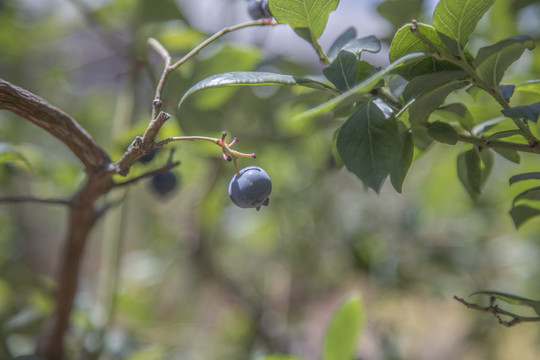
(363, 87)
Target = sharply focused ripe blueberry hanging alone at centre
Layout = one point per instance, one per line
(251, 189)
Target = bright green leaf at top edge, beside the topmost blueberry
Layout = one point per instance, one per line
(308, 16)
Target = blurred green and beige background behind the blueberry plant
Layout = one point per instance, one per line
(191, 276)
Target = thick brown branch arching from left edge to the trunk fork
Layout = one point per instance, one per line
(56, 122)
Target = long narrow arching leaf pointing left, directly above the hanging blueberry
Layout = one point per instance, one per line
(253, 78)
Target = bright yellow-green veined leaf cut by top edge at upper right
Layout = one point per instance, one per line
(458, 18)
